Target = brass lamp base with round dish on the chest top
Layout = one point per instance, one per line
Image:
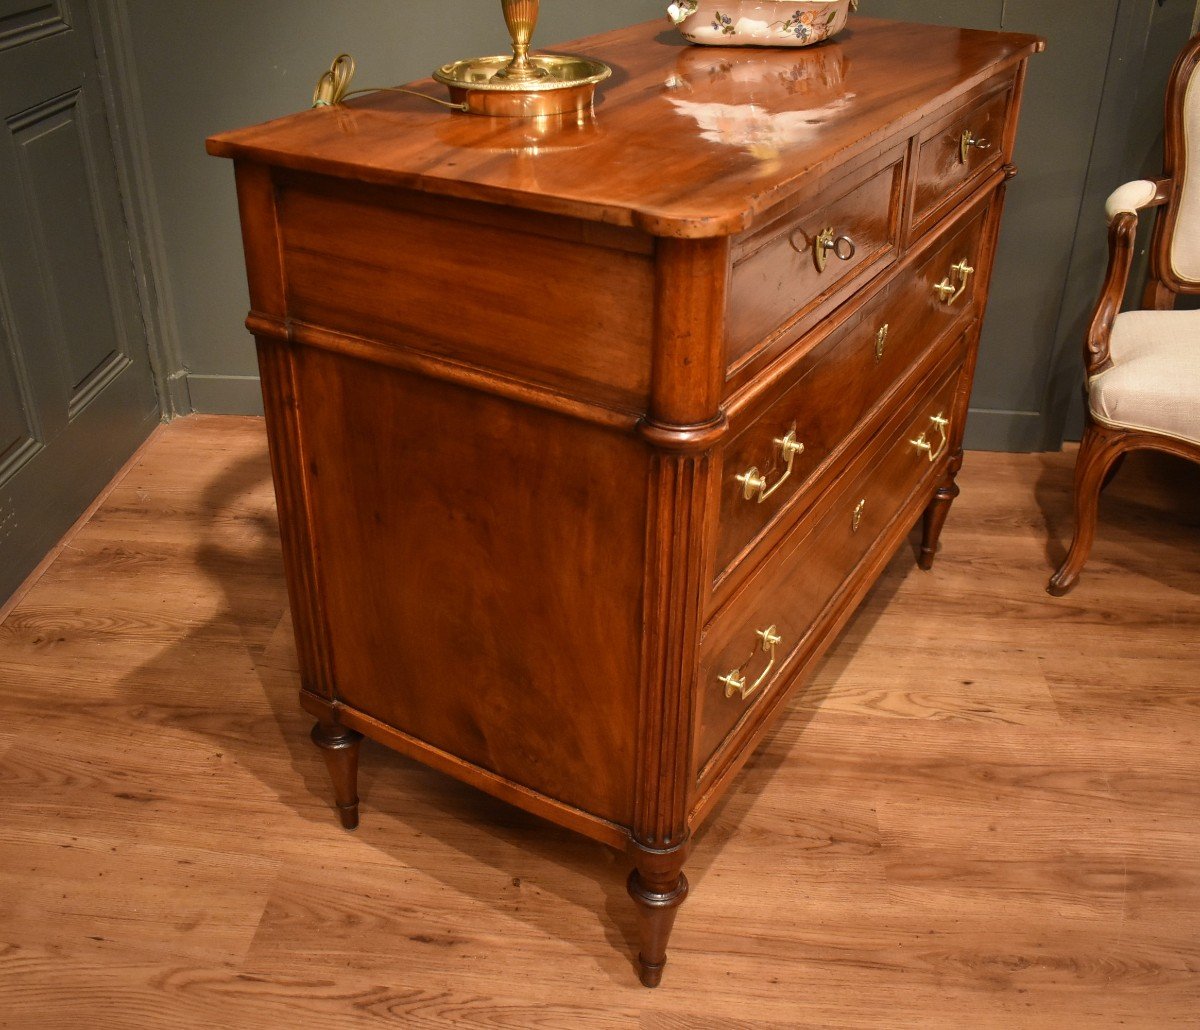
(524, 86)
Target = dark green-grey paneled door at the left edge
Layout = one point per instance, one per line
(76, 390)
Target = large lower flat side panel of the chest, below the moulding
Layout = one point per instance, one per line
(529, 507)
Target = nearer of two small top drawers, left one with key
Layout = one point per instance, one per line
(789, 268)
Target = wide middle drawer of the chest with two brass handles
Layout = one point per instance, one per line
(770, 464)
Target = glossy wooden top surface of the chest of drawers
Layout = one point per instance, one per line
(686, 141)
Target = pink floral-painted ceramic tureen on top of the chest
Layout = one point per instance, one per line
(760, 23)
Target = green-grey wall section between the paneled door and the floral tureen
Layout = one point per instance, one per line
(203, 67)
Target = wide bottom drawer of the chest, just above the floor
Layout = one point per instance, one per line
(747, 652)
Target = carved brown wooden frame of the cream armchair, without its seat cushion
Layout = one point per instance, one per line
(1103, 446)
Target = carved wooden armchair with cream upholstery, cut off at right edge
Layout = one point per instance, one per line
(1144, 367)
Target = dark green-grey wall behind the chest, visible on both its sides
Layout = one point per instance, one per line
(202, 68)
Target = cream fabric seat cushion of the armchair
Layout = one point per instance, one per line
(1155, 380)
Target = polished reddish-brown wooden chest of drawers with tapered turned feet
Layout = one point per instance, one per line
(590, 436)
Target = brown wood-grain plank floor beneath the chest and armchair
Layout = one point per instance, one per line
(986, 812)
